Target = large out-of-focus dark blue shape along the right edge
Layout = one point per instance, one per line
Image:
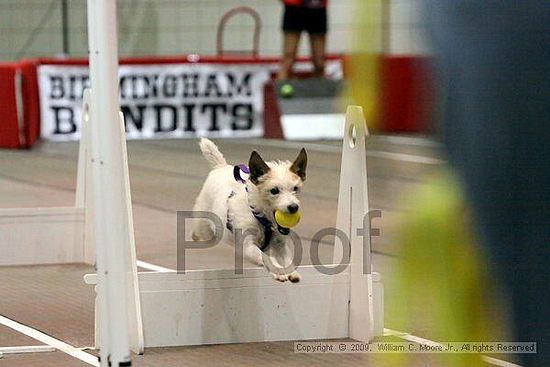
(493, 61)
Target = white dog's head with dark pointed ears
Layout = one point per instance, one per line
(277, 183)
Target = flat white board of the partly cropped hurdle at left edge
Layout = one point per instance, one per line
(30, 236)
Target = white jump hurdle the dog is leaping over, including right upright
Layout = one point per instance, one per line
(208, 307)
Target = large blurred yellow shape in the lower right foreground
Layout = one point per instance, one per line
(444, 277)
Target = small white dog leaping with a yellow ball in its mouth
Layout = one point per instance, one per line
(250, 206)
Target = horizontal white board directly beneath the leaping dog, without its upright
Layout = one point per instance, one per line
(218, 306)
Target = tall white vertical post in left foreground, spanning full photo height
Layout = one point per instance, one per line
(111, 219)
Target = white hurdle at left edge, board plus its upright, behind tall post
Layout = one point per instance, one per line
(51, 235)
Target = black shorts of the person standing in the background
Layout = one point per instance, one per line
(297, 19)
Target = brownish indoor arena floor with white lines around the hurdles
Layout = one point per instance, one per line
(166, 175)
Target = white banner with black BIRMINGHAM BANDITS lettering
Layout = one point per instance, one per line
(159, 101)
